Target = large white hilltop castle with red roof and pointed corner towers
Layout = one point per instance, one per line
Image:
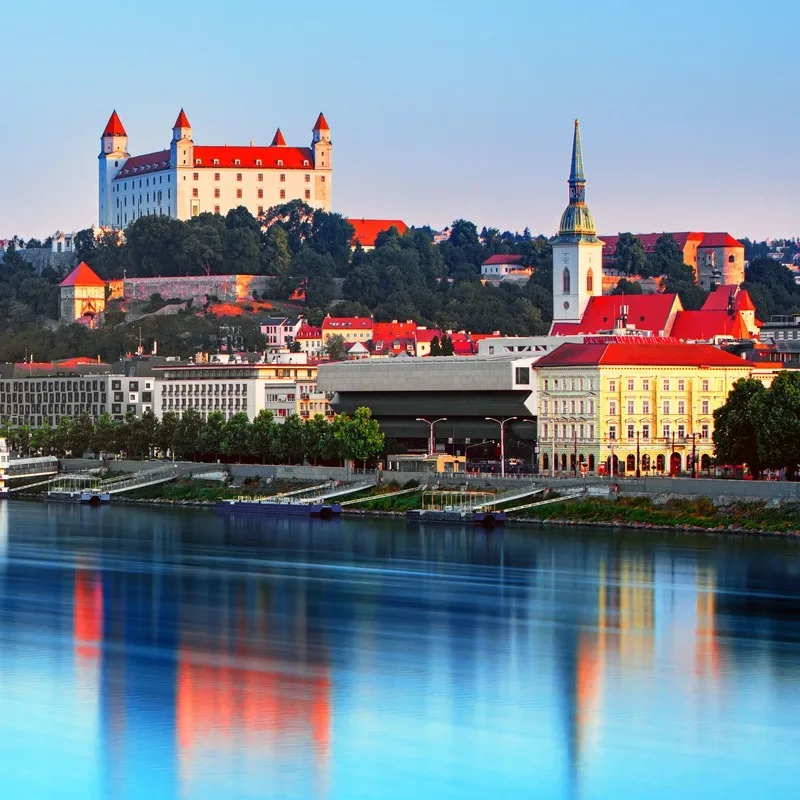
(187, 179)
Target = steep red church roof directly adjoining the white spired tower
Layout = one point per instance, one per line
(650, 312)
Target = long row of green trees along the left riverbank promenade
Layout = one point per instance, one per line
(189, 436)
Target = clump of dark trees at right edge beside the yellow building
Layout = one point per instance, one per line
(760, 427)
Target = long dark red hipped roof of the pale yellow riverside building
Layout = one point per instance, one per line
(640, 355)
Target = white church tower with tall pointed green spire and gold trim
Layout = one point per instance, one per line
(577, 252)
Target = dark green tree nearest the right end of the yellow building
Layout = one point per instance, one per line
(736, 428)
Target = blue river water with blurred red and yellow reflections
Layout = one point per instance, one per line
(172, 654)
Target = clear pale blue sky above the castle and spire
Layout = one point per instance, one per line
(439, 110)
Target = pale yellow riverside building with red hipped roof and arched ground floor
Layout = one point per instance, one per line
(609, 405)
